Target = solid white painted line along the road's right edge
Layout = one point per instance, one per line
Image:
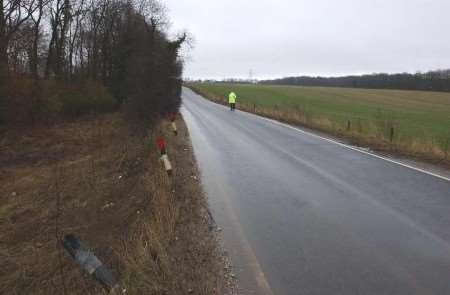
(351, 147)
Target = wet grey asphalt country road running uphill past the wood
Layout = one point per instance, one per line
(301, 214)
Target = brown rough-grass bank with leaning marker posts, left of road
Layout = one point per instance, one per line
(95, 179)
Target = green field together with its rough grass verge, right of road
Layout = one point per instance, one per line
(410, 123)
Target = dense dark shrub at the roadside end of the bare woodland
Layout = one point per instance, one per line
(146, 72)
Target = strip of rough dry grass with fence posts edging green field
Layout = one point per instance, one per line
(382, 132)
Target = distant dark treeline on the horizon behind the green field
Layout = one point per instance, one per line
(431, 81)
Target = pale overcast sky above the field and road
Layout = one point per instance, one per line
(312, 37)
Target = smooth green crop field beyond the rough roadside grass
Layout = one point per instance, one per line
(417, 116)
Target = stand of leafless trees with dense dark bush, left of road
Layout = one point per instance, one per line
(120, 45)
